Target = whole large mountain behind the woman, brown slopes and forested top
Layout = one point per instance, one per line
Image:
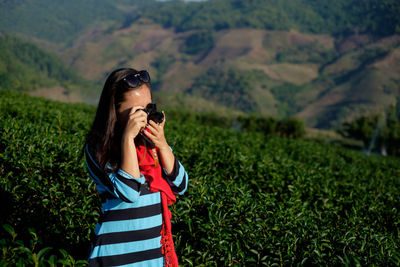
(321, 61)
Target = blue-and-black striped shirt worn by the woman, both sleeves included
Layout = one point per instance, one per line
(128, 232)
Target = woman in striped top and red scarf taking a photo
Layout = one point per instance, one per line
(136, 175)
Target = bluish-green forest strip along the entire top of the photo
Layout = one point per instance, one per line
(61, 21)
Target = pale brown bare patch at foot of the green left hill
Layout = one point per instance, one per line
(57, 93)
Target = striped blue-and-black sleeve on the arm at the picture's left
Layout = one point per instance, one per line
(119, 184)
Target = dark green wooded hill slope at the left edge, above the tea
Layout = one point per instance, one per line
(26, 67)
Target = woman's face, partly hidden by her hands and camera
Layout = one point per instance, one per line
(139, 97)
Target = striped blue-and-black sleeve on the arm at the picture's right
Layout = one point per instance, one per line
(177, 179)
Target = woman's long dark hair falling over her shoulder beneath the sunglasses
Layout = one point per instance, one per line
(105, 134)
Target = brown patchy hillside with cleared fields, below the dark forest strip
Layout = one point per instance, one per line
(319, 78)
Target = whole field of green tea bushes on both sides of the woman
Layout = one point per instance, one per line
(252, 200)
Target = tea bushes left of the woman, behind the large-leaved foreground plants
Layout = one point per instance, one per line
(40, 171)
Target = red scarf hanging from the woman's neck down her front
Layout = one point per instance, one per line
(150, 167)
